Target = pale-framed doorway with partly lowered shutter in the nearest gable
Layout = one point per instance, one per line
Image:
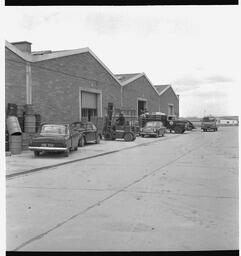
(90, 104)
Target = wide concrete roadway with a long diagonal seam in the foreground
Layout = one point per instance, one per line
(174, 194)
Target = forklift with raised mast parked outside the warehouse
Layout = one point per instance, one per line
(117, 128)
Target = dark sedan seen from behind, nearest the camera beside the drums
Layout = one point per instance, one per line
(55, 138)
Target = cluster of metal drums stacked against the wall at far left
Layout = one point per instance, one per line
(22, 125)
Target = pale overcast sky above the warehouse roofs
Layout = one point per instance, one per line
(194, 48)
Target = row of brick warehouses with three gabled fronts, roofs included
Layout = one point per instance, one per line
(69, 85)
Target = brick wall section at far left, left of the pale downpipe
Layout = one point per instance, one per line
(15, 79)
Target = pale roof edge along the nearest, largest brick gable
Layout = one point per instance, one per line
(56, 54)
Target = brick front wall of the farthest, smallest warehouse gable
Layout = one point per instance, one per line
(168, 97)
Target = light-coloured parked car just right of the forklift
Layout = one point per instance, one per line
(153, 128)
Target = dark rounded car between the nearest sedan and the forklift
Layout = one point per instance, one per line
(87, 131)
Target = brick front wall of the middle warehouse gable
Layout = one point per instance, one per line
(140, 88)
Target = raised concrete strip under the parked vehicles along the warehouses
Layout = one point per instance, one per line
(26, 162)
